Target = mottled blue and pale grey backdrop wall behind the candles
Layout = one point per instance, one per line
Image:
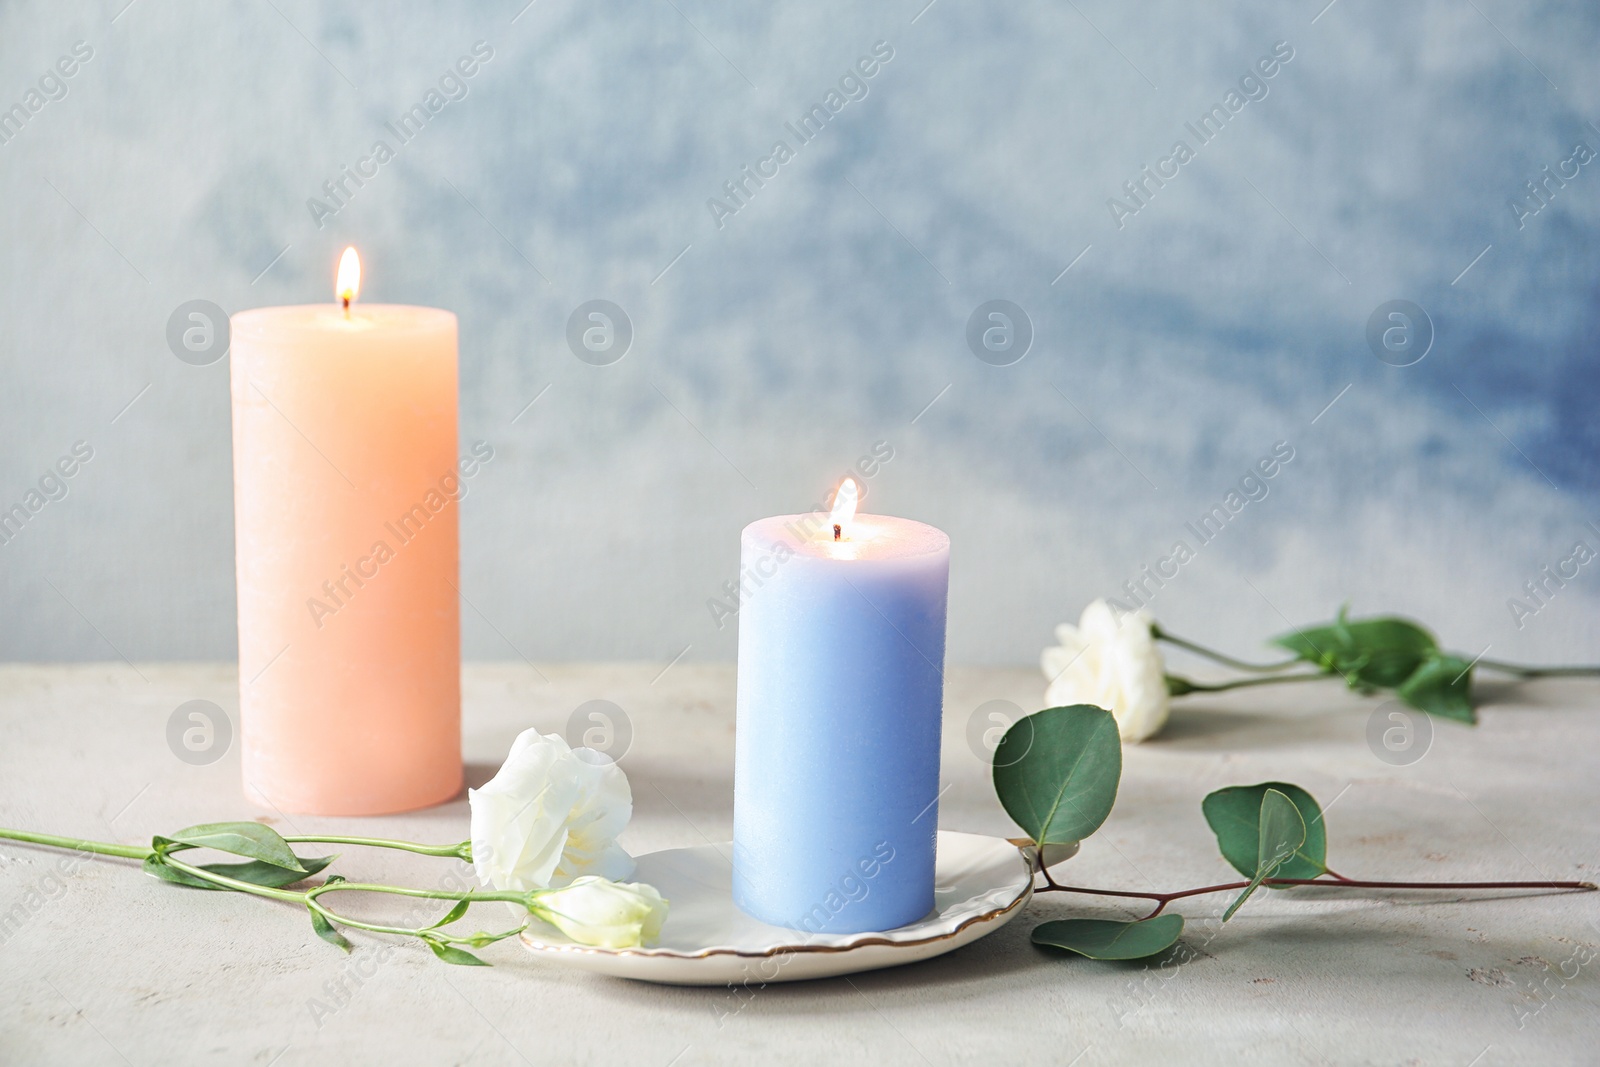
(823, 318)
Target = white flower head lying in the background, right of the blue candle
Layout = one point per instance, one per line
(1114, 665)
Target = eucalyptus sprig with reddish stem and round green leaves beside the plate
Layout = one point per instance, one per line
(1057, 773)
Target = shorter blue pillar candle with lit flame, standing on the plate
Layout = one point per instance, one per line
(839, 703)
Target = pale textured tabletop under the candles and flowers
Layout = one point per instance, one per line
(103, 965)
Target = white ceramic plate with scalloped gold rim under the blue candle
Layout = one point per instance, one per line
(980, 884)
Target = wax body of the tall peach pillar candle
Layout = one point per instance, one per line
(346, 522)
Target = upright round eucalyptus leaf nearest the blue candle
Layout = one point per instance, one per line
(1057, 772)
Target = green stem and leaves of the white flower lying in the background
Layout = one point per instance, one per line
(1372, 655)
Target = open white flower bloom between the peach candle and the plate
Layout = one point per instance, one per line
(551, 815)
